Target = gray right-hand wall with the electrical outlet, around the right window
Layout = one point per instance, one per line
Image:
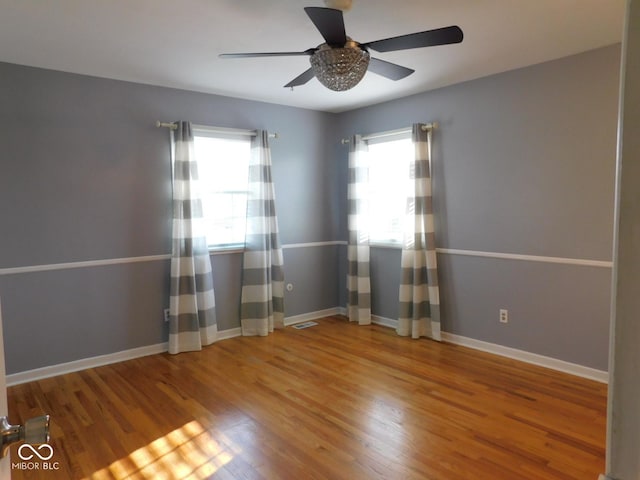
(523, 164)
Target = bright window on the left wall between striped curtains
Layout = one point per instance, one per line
(223, 166)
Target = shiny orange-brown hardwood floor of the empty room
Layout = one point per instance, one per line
(334, 401)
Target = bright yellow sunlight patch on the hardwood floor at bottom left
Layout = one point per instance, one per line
(188, 452)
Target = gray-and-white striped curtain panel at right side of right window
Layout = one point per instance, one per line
(419, 293)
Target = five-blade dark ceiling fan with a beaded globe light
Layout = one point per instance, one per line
(340, 63)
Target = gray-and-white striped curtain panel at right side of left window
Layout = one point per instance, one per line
(262, 298)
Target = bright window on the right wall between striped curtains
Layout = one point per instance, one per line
(388, 161)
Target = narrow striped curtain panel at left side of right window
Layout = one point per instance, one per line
(358, 279)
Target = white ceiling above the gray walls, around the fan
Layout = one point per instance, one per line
(176, 43)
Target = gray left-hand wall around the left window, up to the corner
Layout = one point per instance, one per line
(86, 176)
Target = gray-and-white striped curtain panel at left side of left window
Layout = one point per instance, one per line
(192, 318)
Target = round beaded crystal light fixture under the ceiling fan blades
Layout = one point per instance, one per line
(340, 68)
